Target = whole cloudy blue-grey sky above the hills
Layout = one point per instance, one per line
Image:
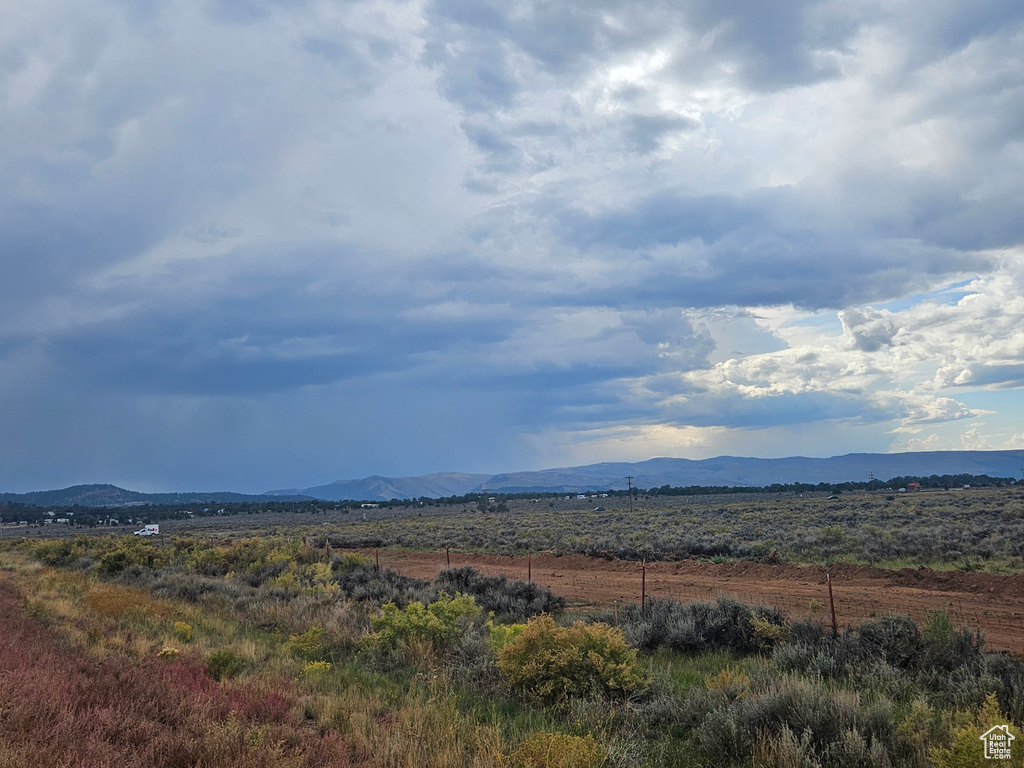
(250, 245)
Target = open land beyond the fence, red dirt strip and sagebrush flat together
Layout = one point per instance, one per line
(907, 553)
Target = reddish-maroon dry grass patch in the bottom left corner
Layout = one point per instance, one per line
(63, 709)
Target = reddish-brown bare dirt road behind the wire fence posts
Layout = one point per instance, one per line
(992, 602)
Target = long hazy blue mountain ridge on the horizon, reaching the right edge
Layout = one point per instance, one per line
(723, 471)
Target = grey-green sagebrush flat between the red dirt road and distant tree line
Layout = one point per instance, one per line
(973, 530)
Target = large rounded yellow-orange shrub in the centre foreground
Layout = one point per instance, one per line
(553, 663)
